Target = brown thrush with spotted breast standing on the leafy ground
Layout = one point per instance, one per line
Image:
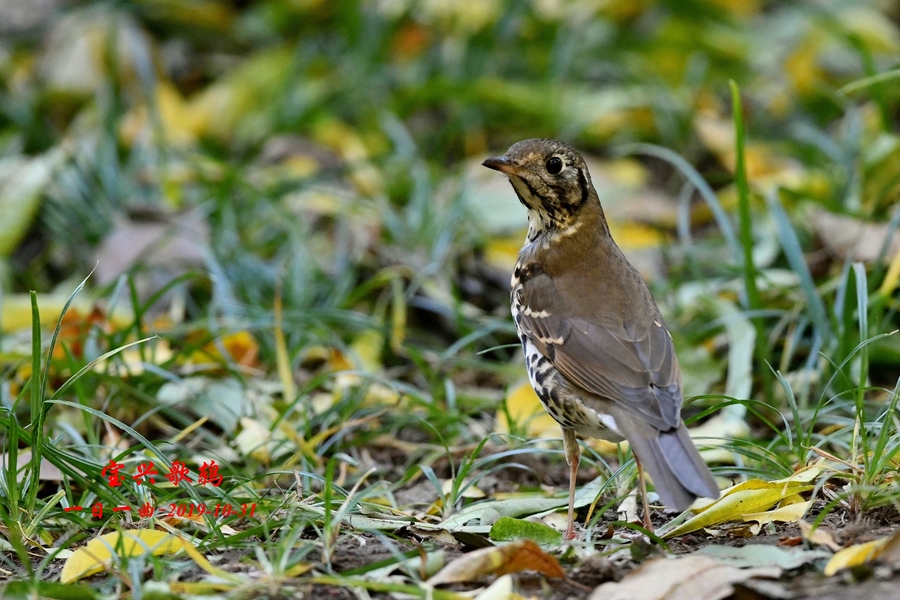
(596, 347)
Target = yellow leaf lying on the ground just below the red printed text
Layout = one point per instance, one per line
(97, 555)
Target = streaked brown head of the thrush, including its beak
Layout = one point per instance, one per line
(550, 178)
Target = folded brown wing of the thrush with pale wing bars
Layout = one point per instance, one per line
(632, 364)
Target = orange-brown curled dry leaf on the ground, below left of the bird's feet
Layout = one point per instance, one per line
(514, 557)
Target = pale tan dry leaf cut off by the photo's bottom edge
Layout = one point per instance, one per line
(694, 576)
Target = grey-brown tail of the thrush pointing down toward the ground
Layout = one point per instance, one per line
(679, 473)
